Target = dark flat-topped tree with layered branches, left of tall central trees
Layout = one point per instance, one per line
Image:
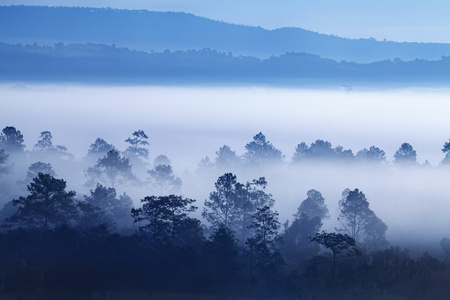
(165, 216)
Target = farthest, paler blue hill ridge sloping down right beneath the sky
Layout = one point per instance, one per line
(158, 31)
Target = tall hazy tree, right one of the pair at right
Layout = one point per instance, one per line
(359, 221)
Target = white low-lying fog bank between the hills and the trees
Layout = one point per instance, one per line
(188, 124)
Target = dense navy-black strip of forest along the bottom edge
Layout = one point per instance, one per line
(67, 263)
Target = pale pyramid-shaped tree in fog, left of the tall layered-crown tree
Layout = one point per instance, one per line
(111, 170)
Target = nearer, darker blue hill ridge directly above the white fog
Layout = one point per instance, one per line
(94, 63)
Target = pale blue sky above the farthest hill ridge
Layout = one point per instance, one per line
(396, 20)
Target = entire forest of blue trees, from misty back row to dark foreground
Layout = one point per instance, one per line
(112, 225)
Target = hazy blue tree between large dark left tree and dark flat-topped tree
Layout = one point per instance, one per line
(115, 209)
